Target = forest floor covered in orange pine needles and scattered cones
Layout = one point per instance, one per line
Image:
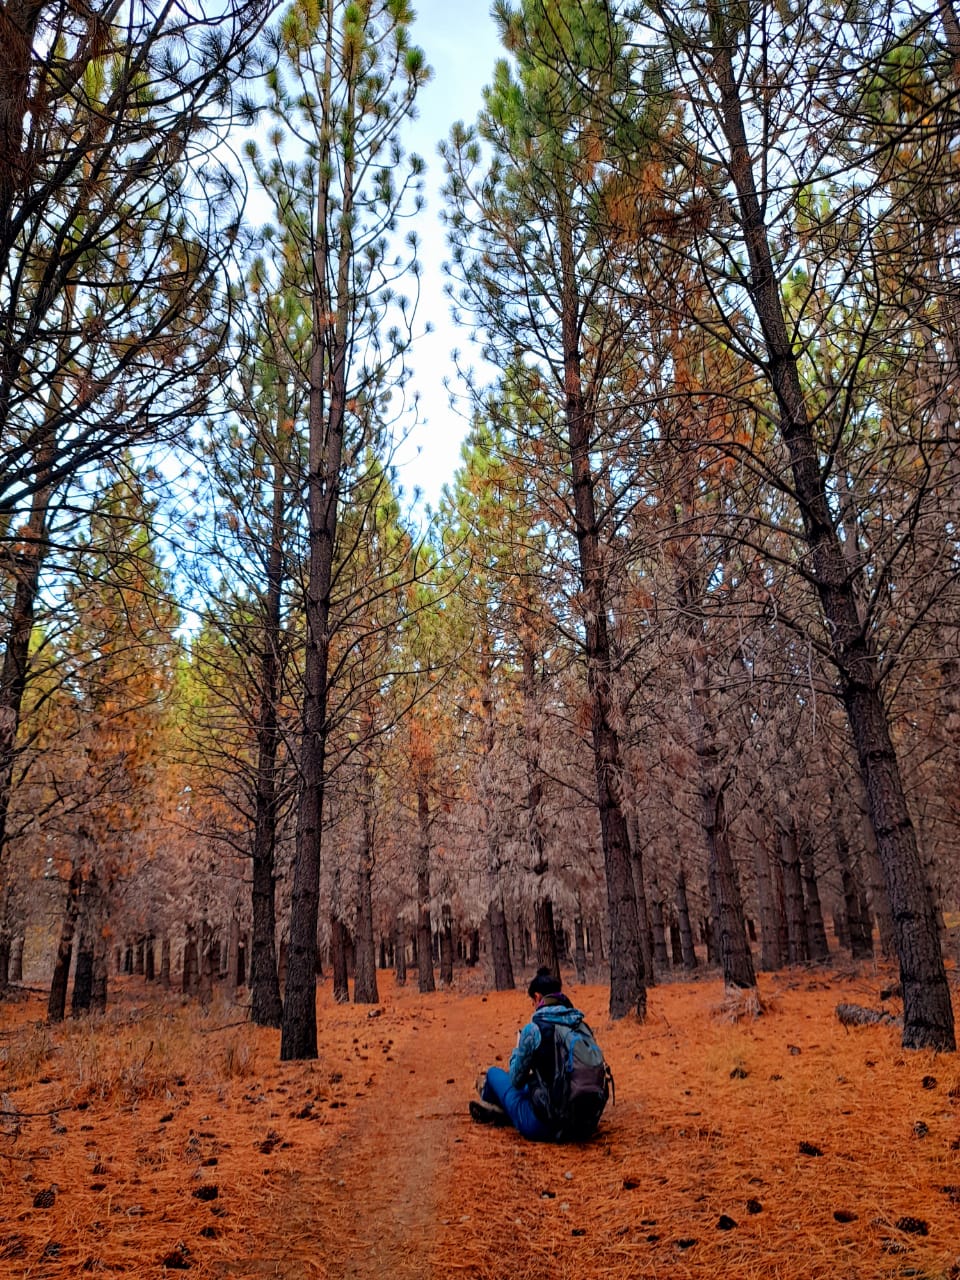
(161, 1140)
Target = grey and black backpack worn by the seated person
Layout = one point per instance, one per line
(573, 1101)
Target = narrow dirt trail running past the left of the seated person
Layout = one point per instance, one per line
(374, 1204)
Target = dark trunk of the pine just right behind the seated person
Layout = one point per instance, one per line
(628, 977)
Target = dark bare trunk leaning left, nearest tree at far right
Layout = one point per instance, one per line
(929, 1016)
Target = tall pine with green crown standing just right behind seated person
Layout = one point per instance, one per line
(534, 273)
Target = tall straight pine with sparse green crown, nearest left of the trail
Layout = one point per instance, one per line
(346, 81)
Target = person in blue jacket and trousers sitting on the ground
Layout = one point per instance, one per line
(508, 1098)
